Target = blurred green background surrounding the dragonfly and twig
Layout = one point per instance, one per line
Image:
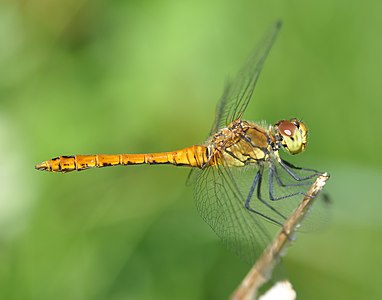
(84, 77)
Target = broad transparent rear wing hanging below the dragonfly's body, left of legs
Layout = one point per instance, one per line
(220, 203)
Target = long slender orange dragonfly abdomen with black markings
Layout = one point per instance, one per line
(194, 156)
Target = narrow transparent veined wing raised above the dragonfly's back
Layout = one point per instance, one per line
(238, 92)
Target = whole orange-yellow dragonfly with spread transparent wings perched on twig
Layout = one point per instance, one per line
(242, 186)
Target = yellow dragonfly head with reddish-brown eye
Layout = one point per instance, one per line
(292, 135)
